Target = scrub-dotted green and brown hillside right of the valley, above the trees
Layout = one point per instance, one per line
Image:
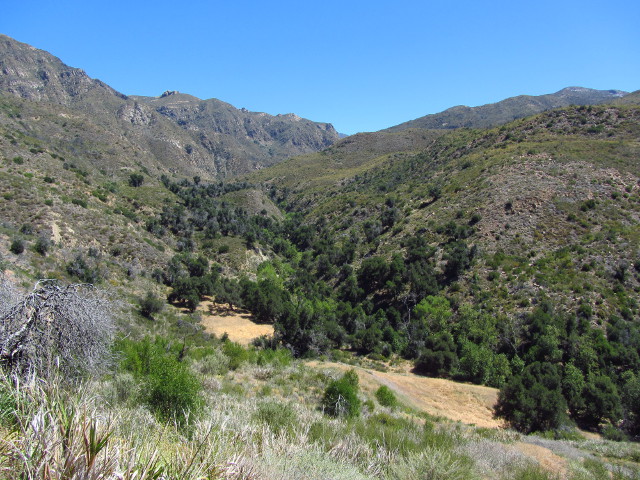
(554, 196)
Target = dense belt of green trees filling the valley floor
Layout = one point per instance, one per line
(550, 366)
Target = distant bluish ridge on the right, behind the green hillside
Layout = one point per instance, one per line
(499, 113)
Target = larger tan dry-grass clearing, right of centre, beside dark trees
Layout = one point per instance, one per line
(471, 404)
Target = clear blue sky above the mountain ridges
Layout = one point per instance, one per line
(361, 65)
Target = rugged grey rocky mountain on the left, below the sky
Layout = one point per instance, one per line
(181, 133)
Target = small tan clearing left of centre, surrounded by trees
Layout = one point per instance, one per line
(218, 319)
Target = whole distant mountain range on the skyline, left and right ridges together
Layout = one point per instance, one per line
(182, 135)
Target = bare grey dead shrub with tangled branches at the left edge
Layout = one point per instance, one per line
(65, 328)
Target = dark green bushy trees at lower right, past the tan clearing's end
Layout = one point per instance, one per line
(572, 367)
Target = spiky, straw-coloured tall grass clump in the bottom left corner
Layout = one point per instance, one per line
(54, 434)
